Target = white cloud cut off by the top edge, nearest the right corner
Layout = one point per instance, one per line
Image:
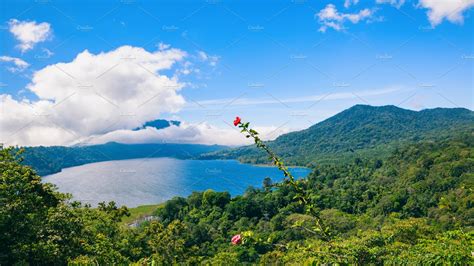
(451, 10)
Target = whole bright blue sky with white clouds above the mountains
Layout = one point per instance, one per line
(89, 72)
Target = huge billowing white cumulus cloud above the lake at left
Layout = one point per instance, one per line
(92, 95)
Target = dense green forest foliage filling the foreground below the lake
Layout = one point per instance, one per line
(413, 208)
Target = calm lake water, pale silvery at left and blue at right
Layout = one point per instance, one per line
(148, 181)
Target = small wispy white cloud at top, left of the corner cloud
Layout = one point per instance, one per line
(329, 17)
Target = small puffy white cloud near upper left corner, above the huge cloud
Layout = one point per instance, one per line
(29, 33)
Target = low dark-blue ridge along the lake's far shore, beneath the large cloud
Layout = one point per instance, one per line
(49, 160)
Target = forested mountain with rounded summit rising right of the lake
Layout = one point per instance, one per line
(361, 130)
